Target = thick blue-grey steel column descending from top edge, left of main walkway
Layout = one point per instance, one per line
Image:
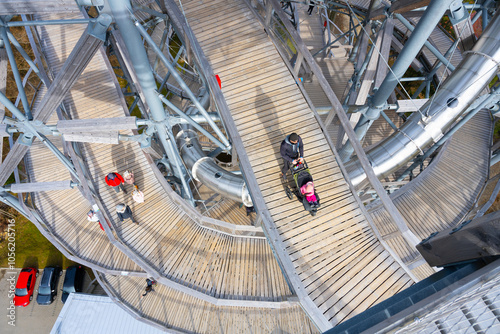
(121, 12)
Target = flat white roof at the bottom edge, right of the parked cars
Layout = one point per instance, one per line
(84, 313)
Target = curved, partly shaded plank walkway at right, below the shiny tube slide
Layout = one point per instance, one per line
(443, 194)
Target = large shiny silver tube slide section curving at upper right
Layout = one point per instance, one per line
(453, 98)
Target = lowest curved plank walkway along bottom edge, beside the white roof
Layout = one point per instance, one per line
(180, 312)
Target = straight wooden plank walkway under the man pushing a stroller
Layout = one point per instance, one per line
(342, 266)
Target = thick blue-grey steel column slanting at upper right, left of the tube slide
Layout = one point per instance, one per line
(418, 38)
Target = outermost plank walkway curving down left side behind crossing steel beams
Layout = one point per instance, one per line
(65, 211)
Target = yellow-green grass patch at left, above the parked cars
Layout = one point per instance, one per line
(32, 249)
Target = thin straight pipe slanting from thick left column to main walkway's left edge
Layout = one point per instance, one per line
(181, 82)
